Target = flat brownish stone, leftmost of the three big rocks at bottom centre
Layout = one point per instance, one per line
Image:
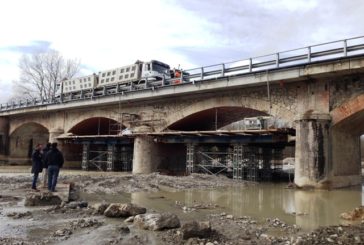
(123, 210)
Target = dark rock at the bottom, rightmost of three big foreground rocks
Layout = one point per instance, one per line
(196, 229)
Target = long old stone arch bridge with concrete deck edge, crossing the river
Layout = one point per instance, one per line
(323, 101)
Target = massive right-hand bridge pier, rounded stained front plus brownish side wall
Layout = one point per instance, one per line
(326, 156)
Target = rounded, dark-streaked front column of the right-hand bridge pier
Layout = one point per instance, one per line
(312, 163)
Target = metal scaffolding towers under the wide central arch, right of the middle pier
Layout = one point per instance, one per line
(246, 162)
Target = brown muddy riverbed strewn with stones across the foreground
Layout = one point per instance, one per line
(75, 224)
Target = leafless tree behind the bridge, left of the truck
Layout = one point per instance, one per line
(39, 74)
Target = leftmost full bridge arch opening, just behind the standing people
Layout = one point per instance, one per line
(24, 138)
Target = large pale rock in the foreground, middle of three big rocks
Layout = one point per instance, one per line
(156, 222)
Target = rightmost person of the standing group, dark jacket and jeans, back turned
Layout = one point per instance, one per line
(54, 160)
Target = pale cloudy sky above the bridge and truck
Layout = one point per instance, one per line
(190, 33)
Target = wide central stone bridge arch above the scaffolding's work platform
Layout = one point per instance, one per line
(232, 110)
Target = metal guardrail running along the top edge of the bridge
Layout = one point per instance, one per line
(320, 52)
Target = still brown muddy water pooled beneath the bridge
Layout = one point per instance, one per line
(307, 209)
